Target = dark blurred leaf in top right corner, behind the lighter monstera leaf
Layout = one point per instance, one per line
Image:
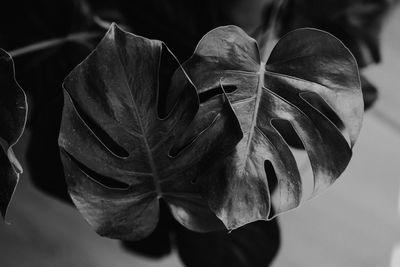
(358, 23)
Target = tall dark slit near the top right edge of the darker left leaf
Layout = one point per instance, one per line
(167, 67)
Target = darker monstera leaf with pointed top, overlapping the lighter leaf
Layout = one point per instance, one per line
(121, 156)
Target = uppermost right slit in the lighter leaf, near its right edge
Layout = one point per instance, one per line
(317, 102)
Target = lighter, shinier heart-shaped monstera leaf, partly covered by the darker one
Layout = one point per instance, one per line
(305, 65)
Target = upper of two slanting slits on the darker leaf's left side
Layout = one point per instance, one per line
(105, 138)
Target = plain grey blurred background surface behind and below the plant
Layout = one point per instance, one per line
(354, 223)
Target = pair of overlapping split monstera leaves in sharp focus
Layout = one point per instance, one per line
(112, 129)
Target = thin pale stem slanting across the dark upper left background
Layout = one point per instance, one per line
(73, 37)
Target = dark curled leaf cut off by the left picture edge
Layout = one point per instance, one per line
(13, 112)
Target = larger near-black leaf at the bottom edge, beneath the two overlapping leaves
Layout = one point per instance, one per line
(254, 244)
